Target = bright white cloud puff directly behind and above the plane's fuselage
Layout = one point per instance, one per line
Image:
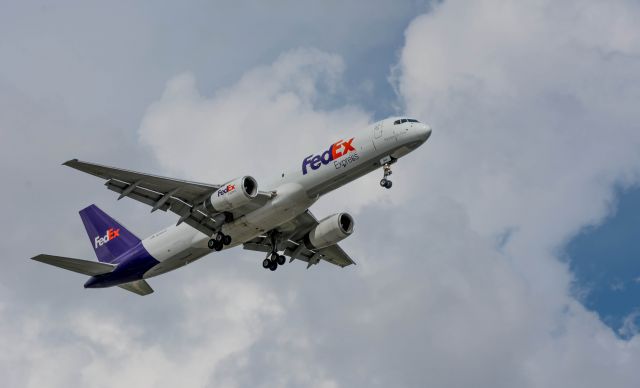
(264, 124)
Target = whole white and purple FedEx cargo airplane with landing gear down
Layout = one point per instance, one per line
(275, 221)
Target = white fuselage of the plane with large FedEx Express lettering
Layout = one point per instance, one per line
(296, 190)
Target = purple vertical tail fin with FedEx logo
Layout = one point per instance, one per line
(108, 237)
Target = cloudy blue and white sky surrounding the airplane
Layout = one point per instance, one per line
(504, 255)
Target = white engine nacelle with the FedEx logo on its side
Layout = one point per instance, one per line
(232, 195)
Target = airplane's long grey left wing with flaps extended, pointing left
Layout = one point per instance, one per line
(184, 198)
